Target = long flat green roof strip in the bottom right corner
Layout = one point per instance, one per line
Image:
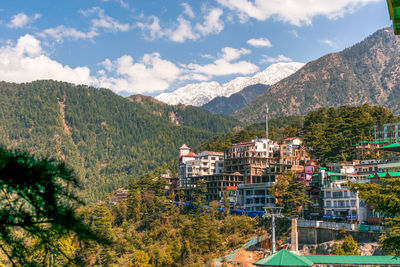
(356, 260)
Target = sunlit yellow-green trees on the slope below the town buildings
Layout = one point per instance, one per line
(156, 232)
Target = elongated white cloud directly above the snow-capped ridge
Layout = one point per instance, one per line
(223, 65)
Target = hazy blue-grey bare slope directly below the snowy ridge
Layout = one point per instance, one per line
(228, 105)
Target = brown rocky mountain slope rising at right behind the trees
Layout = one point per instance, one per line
(367, 72)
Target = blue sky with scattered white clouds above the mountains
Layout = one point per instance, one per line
(149, 47)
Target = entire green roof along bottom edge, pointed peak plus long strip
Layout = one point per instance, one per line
(286, 258)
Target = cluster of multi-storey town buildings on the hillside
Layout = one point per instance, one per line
(245, 172)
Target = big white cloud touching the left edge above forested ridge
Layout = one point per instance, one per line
(25, 61)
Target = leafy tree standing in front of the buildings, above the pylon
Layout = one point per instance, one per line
(290, 194)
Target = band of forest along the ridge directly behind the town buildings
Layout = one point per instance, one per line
(329, 133)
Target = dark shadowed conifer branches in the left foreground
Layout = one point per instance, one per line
(38, 210)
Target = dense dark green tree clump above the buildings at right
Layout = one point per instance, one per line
(331, 133)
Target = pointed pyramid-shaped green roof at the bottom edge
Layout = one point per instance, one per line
(283, 258)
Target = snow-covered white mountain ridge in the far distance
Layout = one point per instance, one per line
(198, 94)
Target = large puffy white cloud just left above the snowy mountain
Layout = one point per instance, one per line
(150, 74)
